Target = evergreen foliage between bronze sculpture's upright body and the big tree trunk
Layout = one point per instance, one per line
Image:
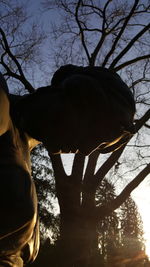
(42, 174)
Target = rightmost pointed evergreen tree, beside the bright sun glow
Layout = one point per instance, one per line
(131, 233)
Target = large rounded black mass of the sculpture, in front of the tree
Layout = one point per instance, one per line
(85, 108)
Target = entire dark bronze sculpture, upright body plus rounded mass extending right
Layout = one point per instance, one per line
(84, 109)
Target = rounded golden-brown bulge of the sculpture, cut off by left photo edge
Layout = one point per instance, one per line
(4, 106)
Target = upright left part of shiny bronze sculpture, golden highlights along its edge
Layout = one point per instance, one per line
(19, 233)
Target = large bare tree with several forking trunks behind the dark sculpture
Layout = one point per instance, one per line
(112, 34)
